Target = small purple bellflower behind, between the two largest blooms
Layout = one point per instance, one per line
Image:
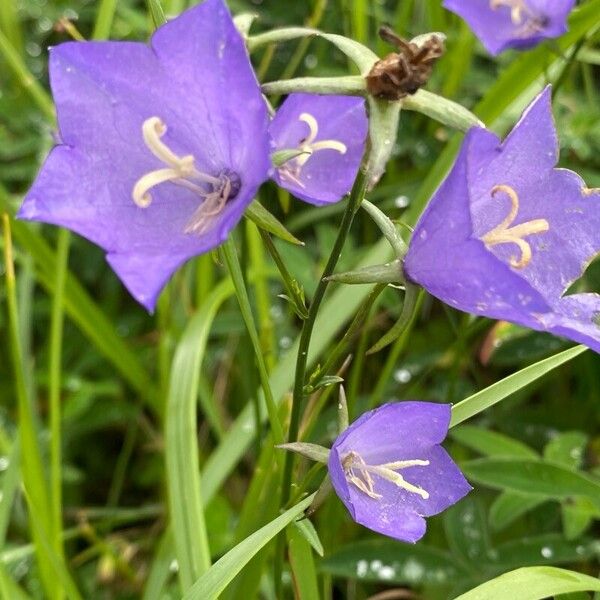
(331, 132)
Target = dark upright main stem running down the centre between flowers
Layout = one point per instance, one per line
(356, 197)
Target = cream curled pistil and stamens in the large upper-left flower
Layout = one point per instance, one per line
(215, 192)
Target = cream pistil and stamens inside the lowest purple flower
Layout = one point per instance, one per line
(359, 474)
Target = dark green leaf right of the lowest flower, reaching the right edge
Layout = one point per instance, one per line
(532, 477)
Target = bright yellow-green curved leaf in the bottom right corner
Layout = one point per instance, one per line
(532, 583)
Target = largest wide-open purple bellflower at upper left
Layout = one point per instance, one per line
(163, 146)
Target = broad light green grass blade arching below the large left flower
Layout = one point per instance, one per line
(181, 444)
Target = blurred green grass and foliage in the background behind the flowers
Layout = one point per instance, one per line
(85, 372)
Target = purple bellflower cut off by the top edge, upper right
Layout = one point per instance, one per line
(502, 24)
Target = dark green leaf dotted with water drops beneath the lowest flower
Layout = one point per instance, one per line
(390, 562)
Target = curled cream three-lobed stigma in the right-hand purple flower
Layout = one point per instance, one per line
(504, 234)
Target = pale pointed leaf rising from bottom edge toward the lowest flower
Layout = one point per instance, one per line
(218, 577)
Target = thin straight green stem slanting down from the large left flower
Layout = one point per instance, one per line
(235, 270)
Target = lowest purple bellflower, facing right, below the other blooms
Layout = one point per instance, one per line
(390, 471)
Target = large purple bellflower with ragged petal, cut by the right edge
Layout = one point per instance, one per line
(507, 233)
